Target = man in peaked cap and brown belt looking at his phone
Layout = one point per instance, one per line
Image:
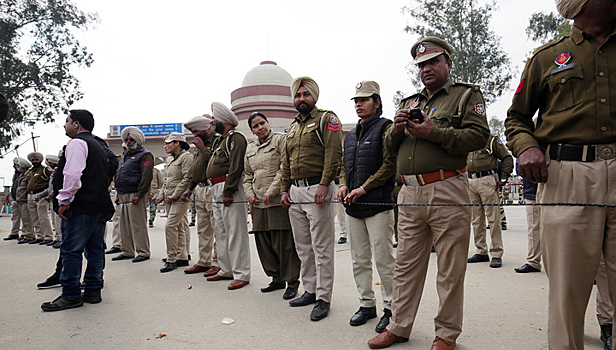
(434, 131)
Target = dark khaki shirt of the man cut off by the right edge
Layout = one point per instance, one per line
(576, 102)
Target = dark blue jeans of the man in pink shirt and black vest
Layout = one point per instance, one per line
(82, 232)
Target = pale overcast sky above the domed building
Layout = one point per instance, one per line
(161, 62)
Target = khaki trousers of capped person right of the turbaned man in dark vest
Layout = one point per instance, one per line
(176, 230)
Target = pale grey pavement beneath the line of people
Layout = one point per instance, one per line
(503, 310)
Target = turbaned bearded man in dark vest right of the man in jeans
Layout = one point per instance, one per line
(132, 184)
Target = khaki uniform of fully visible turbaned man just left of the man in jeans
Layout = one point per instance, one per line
(38, 181)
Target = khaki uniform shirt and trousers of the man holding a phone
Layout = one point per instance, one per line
(456, 132)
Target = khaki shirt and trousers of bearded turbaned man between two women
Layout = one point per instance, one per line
(313, 155)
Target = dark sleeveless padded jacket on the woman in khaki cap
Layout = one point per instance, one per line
(363, 158)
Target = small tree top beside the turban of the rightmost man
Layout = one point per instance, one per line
(545, 27)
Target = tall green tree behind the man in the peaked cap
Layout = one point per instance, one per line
(478, 57)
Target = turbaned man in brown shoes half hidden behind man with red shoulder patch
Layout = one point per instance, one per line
(203, 140)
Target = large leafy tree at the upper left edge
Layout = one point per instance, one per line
(38, 51)
